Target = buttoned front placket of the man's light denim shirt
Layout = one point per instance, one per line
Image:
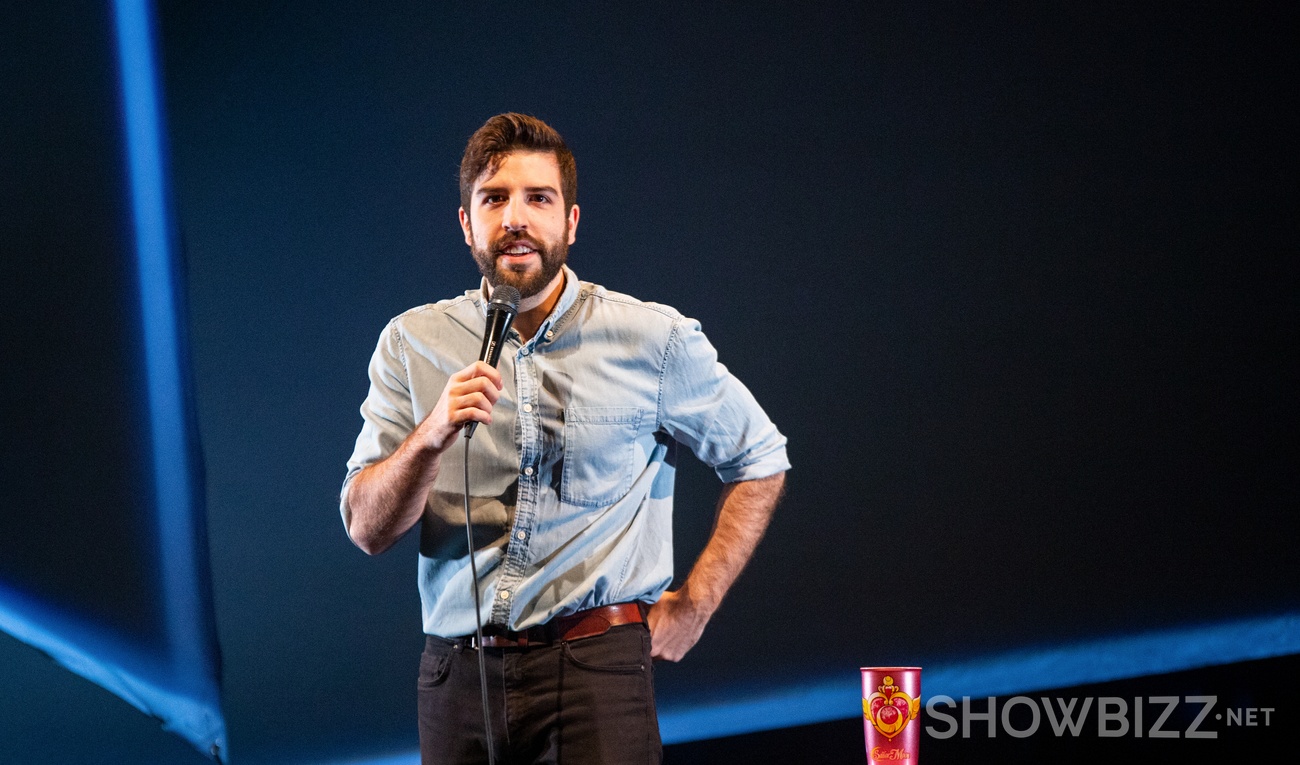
(530, 435)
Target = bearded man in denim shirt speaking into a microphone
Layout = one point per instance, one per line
(571, 478)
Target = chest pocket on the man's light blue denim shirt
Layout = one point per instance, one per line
(600, 451)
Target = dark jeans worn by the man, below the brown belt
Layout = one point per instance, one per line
(588, 702)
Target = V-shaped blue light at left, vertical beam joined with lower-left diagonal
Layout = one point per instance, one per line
(180, 685)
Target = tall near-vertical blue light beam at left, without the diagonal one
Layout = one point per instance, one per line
(177, 500)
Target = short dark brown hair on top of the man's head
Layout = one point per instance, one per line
(508, 133)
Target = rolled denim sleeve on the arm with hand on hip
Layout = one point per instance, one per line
(707, 408)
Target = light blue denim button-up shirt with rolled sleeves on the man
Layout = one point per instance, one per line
(571, 485)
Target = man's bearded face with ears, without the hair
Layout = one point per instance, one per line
(517, 226)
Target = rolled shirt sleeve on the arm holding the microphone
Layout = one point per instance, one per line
(387, 413)
